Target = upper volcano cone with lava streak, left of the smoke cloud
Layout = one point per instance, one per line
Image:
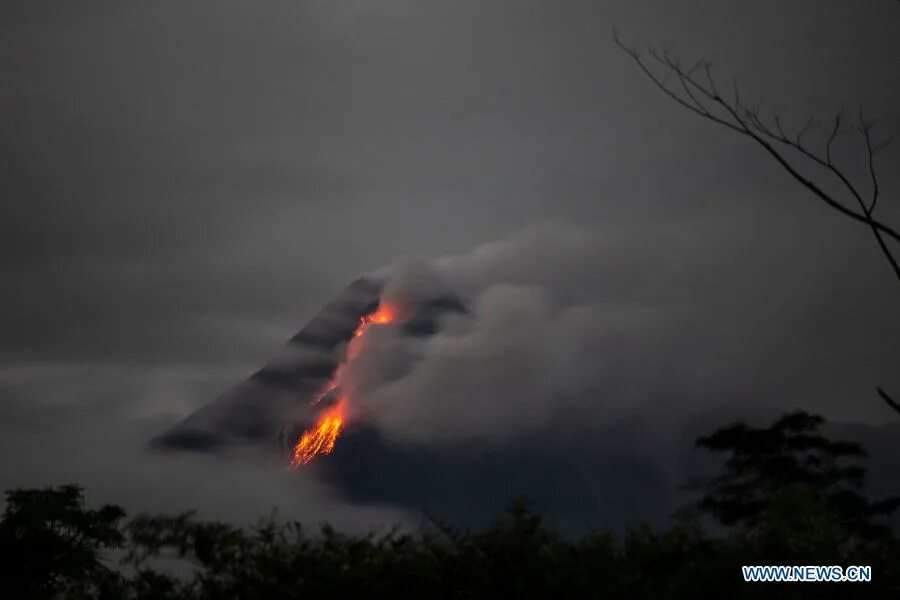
(299, 387)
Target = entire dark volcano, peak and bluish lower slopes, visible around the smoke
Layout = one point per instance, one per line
(579, 476)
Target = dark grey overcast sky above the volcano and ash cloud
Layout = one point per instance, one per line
(185, 183)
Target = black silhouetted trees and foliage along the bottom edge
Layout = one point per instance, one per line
(784, 497)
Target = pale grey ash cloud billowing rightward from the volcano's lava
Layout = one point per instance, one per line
(589, 327)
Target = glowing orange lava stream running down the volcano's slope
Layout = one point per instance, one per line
(320, 439)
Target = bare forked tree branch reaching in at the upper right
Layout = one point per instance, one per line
(697, 91)
